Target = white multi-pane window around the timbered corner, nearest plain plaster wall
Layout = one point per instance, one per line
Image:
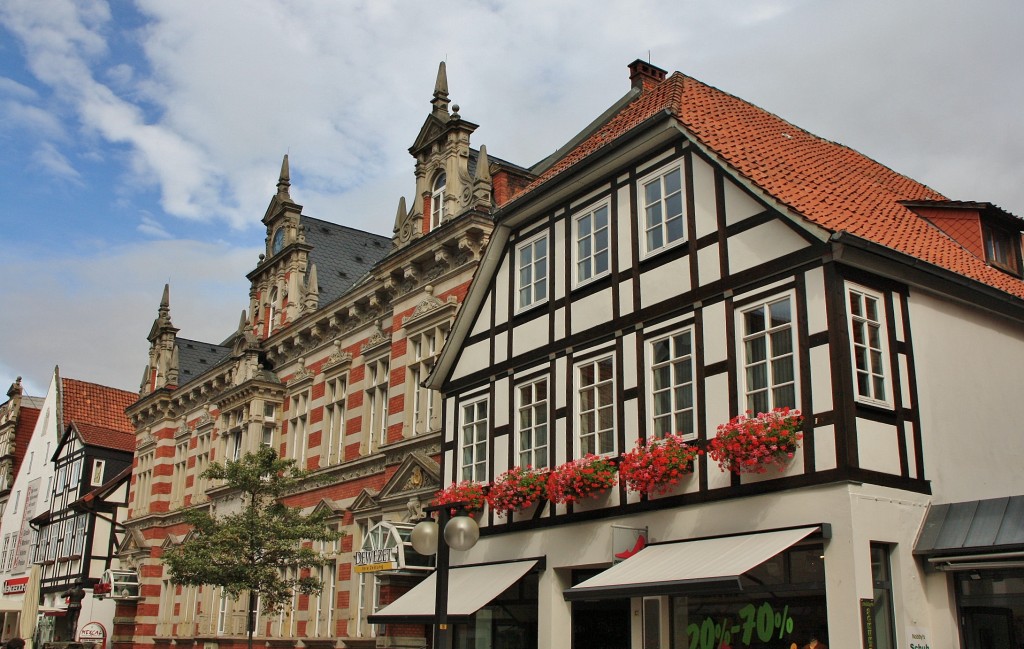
(867, 335)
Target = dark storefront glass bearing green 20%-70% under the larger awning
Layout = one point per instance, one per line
(783, 602)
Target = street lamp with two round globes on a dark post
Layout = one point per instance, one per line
(460, 533)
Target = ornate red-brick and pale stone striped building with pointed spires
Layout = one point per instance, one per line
(326, 366)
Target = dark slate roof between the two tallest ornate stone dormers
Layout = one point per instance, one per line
(344, 255)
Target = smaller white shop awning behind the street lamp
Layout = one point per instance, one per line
(471, 589)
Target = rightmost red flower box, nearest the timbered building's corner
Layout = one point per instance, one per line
(752, 445)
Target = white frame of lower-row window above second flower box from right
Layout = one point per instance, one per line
(654, 365)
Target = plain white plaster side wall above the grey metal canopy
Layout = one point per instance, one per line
(969, 380)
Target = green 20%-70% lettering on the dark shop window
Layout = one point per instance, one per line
(755, 625)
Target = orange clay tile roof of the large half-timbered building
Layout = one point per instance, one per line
(828, 184)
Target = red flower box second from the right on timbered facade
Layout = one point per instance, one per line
(656, 466)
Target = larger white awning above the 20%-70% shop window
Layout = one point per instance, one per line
(688, 567)
